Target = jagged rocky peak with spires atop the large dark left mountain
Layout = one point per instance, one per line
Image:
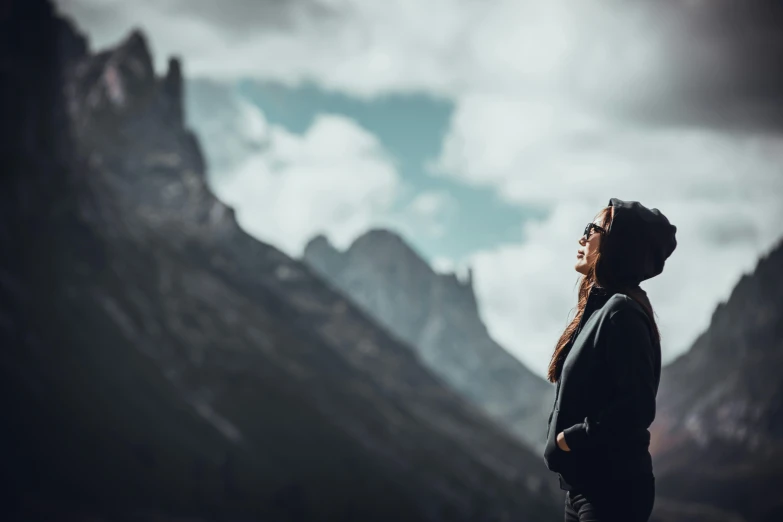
(132, 121)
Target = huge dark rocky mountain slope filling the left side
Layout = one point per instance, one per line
(158, 363)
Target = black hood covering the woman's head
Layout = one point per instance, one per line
(637, 244)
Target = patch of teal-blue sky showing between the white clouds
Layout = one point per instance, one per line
(411, 127)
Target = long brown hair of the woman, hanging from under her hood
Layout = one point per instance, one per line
(586, 284)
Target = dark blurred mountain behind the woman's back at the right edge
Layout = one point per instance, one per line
(718, 435)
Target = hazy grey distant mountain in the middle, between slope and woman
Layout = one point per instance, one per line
(438, 315)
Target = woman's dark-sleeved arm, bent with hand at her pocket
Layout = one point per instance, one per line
(630, 358)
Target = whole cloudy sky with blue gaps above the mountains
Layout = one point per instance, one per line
(488, 134)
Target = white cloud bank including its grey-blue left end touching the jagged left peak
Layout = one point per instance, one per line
(336, 178)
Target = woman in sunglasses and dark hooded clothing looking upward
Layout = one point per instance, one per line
(607, 367)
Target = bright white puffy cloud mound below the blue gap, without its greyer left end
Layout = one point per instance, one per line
(335, 179)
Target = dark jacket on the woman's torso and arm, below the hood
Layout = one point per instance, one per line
(605, 400)
